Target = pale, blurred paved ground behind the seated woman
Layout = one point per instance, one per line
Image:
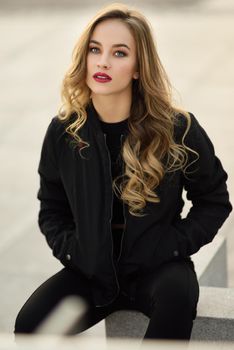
(196, 44)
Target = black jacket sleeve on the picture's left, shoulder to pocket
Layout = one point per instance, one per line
(55, 217)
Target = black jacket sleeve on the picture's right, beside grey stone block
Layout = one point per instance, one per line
(205, 186)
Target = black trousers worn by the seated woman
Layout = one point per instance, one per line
(168, 296)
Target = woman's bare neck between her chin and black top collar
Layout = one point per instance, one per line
(111, 109)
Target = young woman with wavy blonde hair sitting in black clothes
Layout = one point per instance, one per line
(113, 166)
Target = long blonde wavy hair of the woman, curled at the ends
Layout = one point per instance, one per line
(149, 150)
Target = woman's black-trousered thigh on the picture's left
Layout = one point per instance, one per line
(44, 299)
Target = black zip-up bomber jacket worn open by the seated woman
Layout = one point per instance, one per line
(76, 207)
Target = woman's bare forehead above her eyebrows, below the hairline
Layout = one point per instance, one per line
(113, 31)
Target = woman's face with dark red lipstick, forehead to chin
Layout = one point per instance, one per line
(112, 51)
